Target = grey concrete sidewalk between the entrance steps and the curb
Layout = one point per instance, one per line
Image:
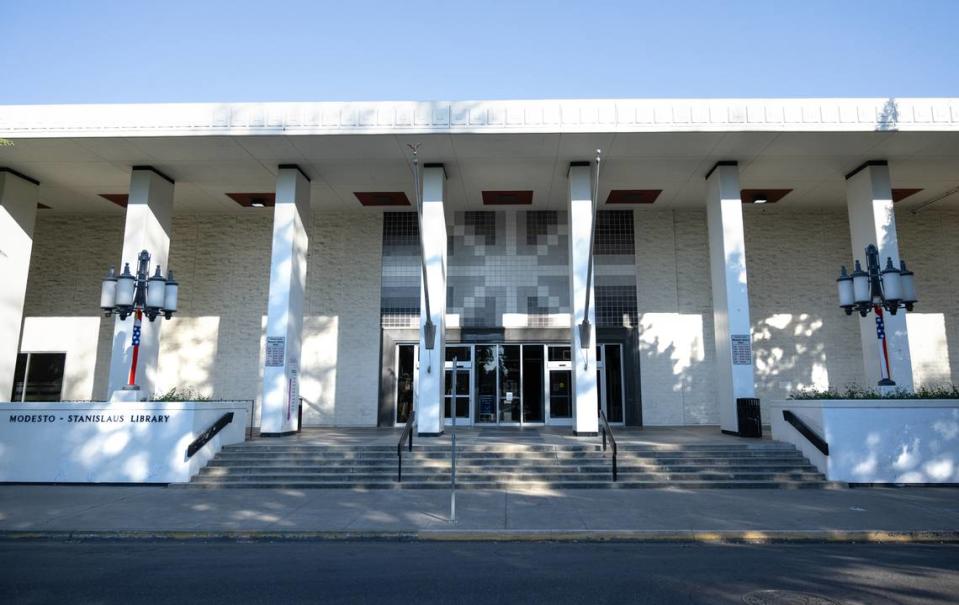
(874, 514)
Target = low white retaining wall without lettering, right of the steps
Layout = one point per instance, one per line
(896, 441)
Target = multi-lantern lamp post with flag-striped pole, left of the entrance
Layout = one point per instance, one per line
(138, 295)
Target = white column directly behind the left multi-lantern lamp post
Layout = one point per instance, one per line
(149, 224)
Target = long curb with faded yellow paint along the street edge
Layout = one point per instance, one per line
(591, 536)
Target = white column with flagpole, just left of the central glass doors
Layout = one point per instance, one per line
(429, 395)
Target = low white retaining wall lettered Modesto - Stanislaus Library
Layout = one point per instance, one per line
(112, 442)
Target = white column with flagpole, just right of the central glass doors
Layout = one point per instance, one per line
(585, 396)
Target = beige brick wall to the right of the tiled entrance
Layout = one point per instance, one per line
(801, 339)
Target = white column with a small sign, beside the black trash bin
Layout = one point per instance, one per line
(727, 260)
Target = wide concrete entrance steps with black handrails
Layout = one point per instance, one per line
(275, 464)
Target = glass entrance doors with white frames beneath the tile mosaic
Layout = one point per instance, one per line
(512, 384)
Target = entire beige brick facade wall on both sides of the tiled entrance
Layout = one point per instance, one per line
(215, 345)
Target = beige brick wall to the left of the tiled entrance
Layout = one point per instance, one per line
(215, 343)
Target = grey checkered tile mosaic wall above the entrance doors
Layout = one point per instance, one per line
(510, 265)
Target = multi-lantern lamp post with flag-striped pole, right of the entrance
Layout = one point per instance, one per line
(877, 289)
